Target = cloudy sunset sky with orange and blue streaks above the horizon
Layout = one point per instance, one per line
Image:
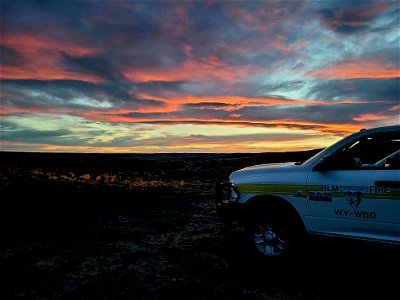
(195, 76)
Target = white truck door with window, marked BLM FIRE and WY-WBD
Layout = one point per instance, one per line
(356, 190)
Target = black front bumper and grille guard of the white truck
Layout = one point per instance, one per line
(227, 210)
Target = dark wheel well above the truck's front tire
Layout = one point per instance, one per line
(273, 207)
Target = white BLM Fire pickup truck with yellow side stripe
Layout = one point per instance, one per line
(350, 189)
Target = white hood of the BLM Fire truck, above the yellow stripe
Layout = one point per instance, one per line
(262, 170)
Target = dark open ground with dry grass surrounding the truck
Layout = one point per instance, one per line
(89, 226)
